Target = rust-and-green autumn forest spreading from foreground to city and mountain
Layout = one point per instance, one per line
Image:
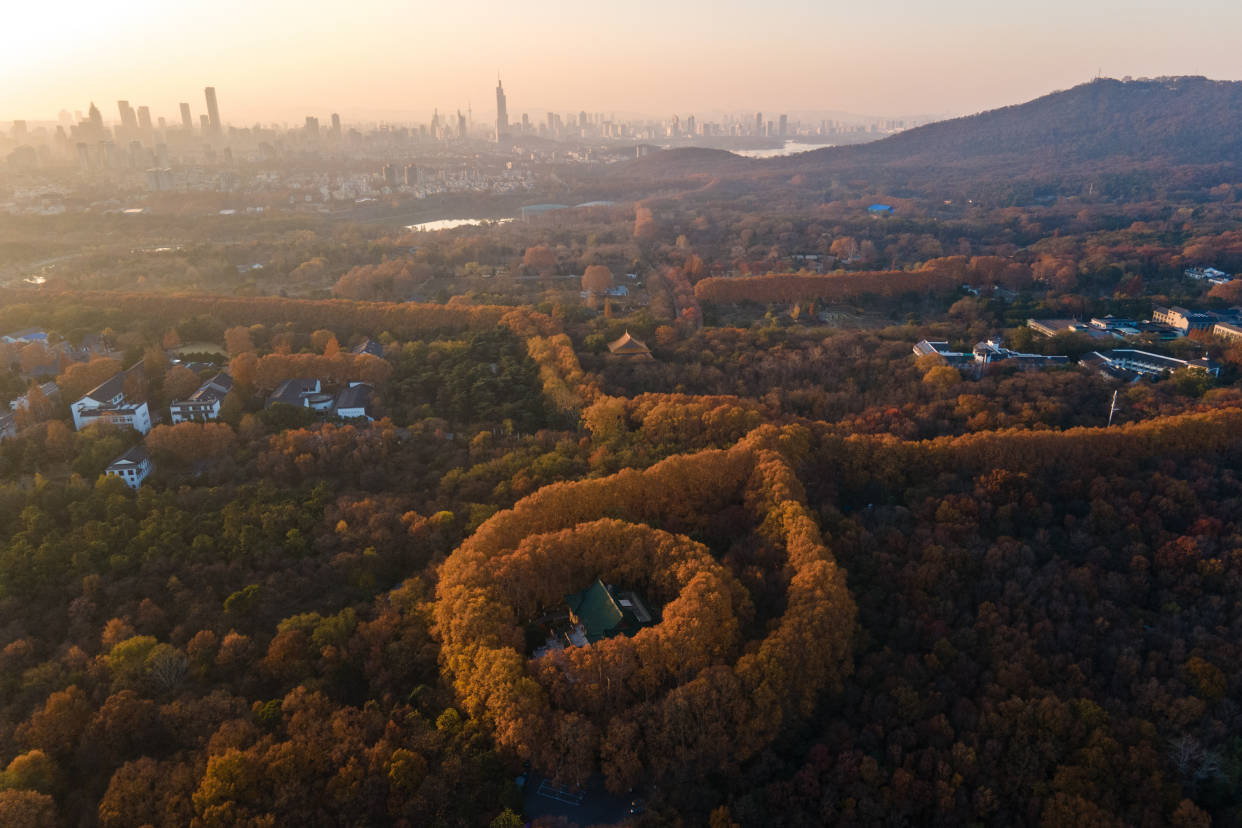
(646, 513)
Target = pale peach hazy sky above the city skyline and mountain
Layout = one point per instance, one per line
(280, 60)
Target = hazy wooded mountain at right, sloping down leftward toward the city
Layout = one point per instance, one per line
(1173, 137)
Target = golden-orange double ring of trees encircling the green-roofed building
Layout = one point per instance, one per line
(745, 646)
